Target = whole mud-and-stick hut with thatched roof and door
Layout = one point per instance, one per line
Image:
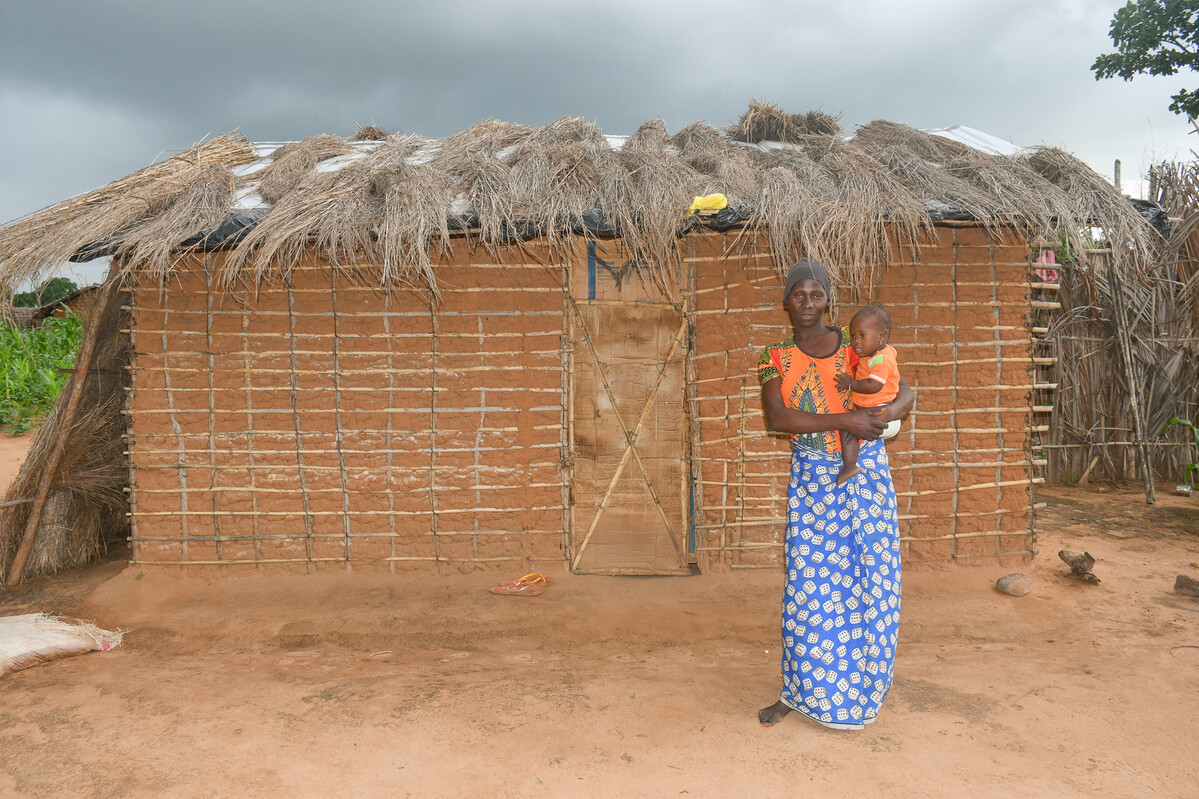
(521, 347)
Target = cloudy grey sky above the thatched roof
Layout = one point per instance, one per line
(92, 91)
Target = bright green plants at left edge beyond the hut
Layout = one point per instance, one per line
(31, 363)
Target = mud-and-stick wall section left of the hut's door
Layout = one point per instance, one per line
(318, 422)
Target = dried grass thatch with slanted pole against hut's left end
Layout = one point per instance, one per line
(86, 509)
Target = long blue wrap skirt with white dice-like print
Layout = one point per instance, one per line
(841, 609)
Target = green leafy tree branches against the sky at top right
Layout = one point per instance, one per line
(1155, 38)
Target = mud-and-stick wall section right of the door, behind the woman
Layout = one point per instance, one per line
(961, 465)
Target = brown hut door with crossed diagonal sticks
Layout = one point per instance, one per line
(629, 488)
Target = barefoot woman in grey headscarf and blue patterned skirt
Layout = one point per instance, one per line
(841, 608)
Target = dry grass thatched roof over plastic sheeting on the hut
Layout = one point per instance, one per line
(390, 205)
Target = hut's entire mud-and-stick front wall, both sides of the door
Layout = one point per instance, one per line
(320, 422)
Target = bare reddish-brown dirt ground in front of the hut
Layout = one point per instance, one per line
(336, 684)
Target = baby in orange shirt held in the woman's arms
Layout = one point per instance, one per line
(875, 381)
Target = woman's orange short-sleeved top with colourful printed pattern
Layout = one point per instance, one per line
(811, 385)
